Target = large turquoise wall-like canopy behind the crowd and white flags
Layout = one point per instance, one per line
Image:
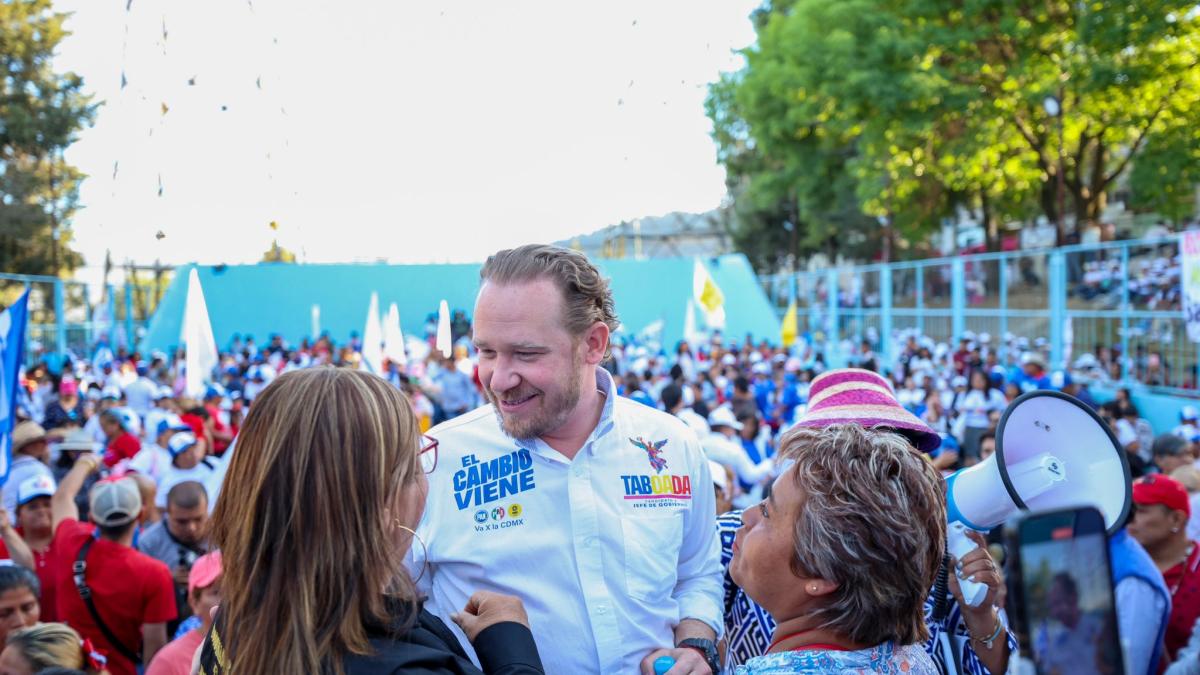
(267, 298)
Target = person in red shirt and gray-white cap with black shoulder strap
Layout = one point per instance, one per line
(131, 594)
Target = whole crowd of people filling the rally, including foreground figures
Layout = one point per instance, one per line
(554, 497)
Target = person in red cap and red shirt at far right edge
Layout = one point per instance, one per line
(1161, 524)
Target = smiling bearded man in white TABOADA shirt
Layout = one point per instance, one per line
(597, 511)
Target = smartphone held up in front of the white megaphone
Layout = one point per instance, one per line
(1060, 593)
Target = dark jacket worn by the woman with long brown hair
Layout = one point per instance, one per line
(429, 648)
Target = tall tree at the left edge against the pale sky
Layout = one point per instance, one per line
(41, 112)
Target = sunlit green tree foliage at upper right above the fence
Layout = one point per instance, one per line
(905, 110)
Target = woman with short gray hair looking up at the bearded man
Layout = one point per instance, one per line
(843, 554)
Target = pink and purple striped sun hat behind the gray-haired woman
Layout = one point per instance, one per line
(860, 397)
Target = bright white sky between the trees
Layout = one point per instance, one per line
(400, 132)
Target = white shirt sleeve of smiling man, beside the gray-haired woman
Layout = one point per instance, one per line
(699, 587)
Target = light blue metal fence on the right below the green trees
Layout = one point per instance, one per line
(1120, 296)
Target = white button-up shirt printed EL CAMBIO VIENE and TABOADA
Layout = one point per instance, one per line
(609, 552)
